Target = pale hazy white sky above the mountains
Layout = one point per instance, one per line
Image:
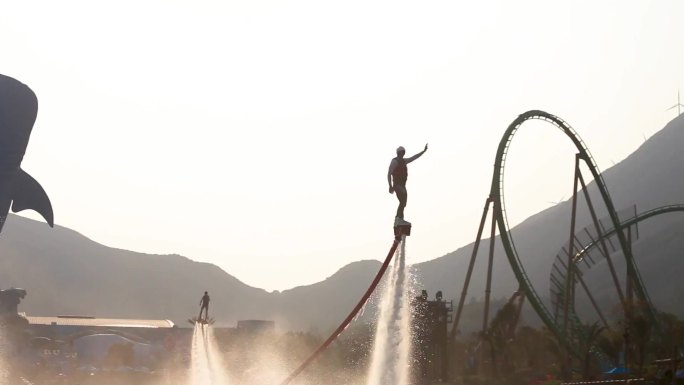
(256, 135)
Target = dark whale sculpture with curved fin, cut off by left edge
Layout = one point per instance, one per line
(18, 110)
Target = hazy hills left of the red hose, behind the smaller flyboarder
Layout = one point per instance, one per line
(66, 273)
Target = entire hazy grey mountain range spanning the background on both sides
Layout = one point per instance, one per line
(66, 273)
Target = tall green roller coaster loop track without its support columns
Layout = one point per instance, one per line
(497, 194)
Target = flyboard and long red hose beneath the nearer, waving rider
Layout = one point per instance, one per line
(401, 228)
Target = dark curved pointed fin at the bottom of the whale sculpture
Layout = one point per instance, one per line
(28, 194)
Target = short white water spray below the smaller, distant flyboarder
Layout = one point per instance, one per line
(206, 367)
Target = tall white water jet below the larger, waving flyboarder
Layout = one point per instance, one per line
(392, 346)
